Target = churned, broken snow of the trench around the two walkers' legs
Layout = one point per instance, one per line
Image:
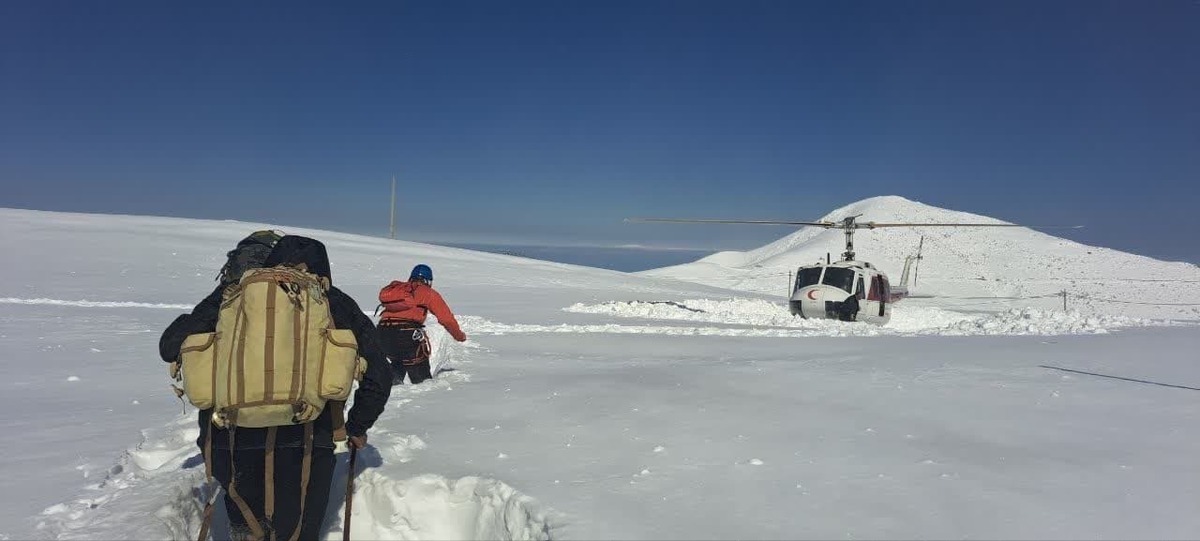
(158, 491)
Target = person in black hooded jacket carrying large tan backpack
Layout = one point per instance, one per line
(271, 366)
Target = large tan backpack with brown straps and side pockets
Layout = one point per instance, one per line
(275, 358)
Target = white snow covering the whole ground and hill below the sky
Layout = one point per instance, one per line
(598, 405)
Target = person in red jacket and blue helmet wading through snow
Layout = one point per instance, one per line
(403, 324)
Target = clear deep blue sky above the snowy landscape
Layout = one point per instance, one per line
(553, 122)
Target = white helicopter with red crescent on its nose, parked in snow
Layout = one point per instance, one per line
(848, 290)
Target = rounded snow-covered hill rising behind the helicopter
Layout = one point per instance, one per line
(1024, 266)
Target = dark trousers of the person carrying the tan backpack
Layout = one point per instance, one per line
(251, 470)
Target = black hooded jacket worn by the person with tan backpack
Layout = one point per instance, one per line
(373, 393)
